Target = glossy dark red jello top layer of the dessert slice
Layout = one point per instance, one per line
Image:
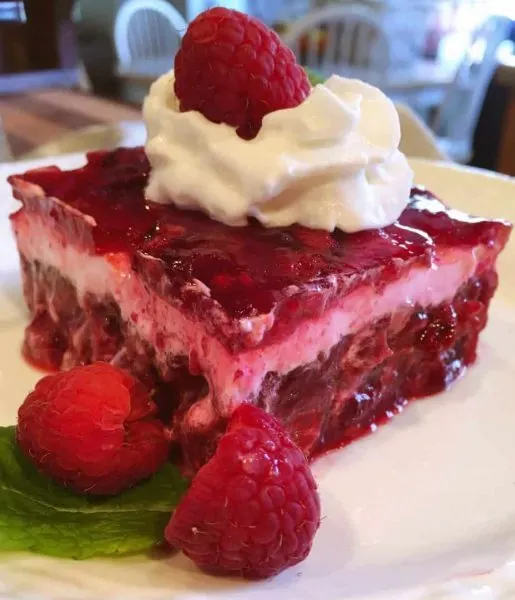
(249, 270)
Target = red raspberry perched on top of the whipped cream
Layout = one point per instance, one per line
(235, 70)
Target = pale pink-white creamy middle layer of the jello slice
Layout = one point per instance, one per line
(235, 378)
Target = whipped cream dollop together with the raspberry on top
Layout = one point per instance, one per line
(326, 158)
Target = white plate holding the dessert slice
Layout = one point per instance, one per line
(417, 510)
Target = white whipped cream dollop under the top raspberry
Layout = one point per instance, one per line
(331, 162)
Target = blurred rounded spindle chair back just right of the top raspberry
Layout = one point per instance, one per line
(347, 40)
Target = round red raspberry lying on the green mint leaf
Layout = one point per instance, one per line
(92, 429)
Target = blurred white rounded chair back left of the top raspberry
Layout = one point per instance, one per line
(147, 35)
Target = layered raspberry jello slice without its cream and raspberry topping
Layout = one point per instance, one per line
(330, 332)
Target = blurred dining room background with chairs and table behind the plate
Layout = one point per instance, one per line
(73, 74)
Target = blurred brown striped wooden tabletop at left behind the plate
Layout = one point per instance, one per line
(34, 118)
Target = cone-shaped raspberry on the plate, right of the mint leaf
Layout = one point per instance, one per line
(253, 509)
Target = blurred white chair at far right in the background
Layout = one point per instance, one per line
(458, 115)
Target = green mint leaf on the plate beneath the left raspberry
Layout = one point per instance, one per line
(37, 514)
